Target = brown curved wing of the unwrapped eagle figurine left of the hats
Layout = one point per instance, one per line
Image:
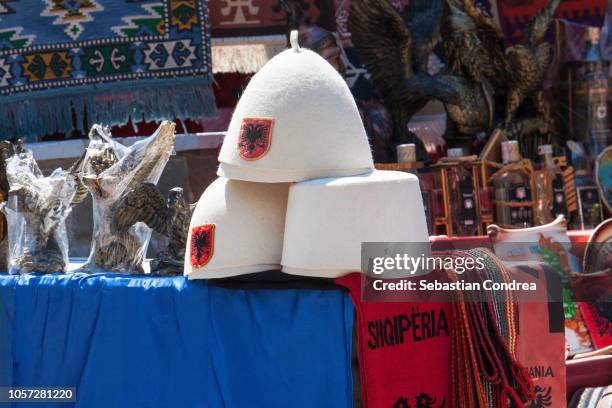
(145, 203)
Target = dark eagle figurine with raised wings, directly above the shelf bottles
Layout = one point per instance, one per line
(485, 72)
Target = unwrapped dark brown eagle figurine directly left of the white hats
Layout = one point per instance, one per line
(169, 217)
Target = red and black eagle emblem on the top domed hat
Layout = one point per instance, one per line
(255, 137)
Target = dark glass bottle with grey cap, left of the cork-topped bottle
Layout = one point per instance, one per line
(461, 193)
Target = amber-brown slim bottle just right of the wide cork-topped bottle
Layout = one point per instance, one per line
(550, 188)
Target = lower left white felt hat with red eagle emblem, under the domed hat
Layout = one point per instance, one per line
(236, 228)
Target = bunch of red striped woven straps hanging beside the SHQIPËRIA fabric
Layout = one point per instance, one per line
(484, 368)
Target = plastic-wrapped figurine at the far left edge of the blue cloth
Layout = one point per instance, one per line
(36, 212)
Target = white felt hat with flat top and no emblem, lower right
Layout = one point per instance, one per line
(328, 219)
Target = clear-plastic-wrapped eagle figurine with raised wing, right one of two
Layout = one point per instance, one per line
(112, 170)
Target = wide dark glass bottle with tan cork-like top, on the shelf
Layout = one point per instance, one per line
(513, 206)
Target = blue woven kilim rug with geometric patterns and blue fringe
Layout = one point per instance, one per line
(104, 60)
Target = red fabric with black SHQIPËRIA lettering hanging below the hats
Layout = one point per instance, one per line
(404, 350)
